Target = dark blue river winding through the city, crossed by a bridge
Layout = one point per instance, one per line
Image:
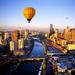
(25, 68)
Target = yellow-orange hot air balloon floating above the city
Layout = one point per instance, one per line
(29, 13)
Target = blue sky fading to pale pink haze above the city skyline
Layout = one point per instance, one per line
(47, 12)
